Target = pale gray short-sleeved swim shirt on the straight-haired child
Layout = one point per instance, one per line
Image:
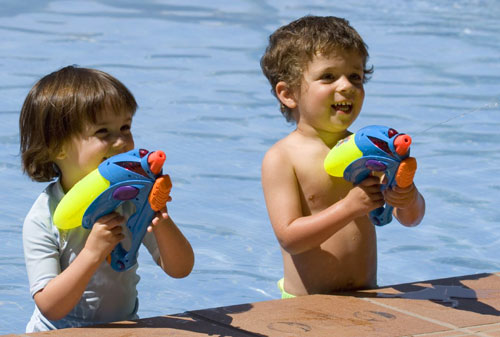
(109, 296)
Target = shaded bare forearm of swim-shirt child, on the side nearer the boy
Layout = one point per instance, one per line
(176, 254)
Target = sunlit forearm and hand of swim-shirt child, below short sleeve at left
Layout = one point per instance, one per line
(64, 291)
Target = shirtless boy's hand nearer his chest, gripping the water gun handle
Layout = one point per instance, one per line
(366, 196)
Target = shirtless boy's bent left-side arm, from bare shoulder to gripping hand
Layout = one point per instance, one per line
(298, 233)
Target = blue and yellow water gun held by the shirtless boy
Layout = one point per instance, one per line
(374, 148)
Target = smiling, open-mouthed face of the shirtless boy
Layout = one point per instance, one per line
(331, 92)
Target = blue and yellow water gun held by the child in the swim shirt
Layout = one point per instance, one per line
(134, 176)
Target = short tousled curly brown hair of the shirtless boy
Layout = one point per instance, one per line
(292, 46)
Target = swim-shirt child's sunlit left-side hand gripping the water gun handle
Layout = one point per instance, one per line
(105, 235)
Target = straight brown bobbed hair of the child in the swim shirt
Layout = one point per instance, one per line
(58, 106)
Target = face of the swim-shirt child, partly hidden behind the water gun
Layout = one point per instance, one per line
(83, 153)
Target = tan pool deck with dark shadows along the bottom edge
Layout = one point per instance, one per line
(459, 306)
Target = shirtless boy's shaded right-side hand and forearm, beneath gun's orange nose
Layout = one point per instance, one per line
(409, 204)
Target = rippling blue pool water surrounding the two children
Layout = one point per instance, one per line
(194, 69)
